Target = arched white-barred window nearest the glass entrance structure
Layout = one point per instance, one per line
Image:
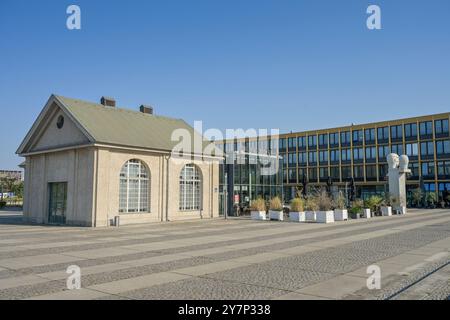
(190, 188)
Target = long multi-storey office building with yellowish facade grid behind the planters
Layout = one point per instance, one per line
(357, 152)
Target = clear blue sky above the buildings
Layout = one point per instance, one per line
(291, 64)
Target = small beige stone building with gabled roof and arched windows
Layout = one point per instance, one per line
(87, 164)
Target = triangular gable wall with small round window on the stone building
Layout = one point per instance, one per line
(45, 134)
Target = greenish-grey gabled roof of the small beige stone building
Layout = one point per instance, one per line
(119, 127)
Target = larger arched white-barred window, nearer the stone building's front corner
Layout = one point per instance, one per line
(134, 187)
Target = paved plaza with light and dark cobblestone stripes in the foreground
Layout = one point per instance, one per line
(234, 259)
